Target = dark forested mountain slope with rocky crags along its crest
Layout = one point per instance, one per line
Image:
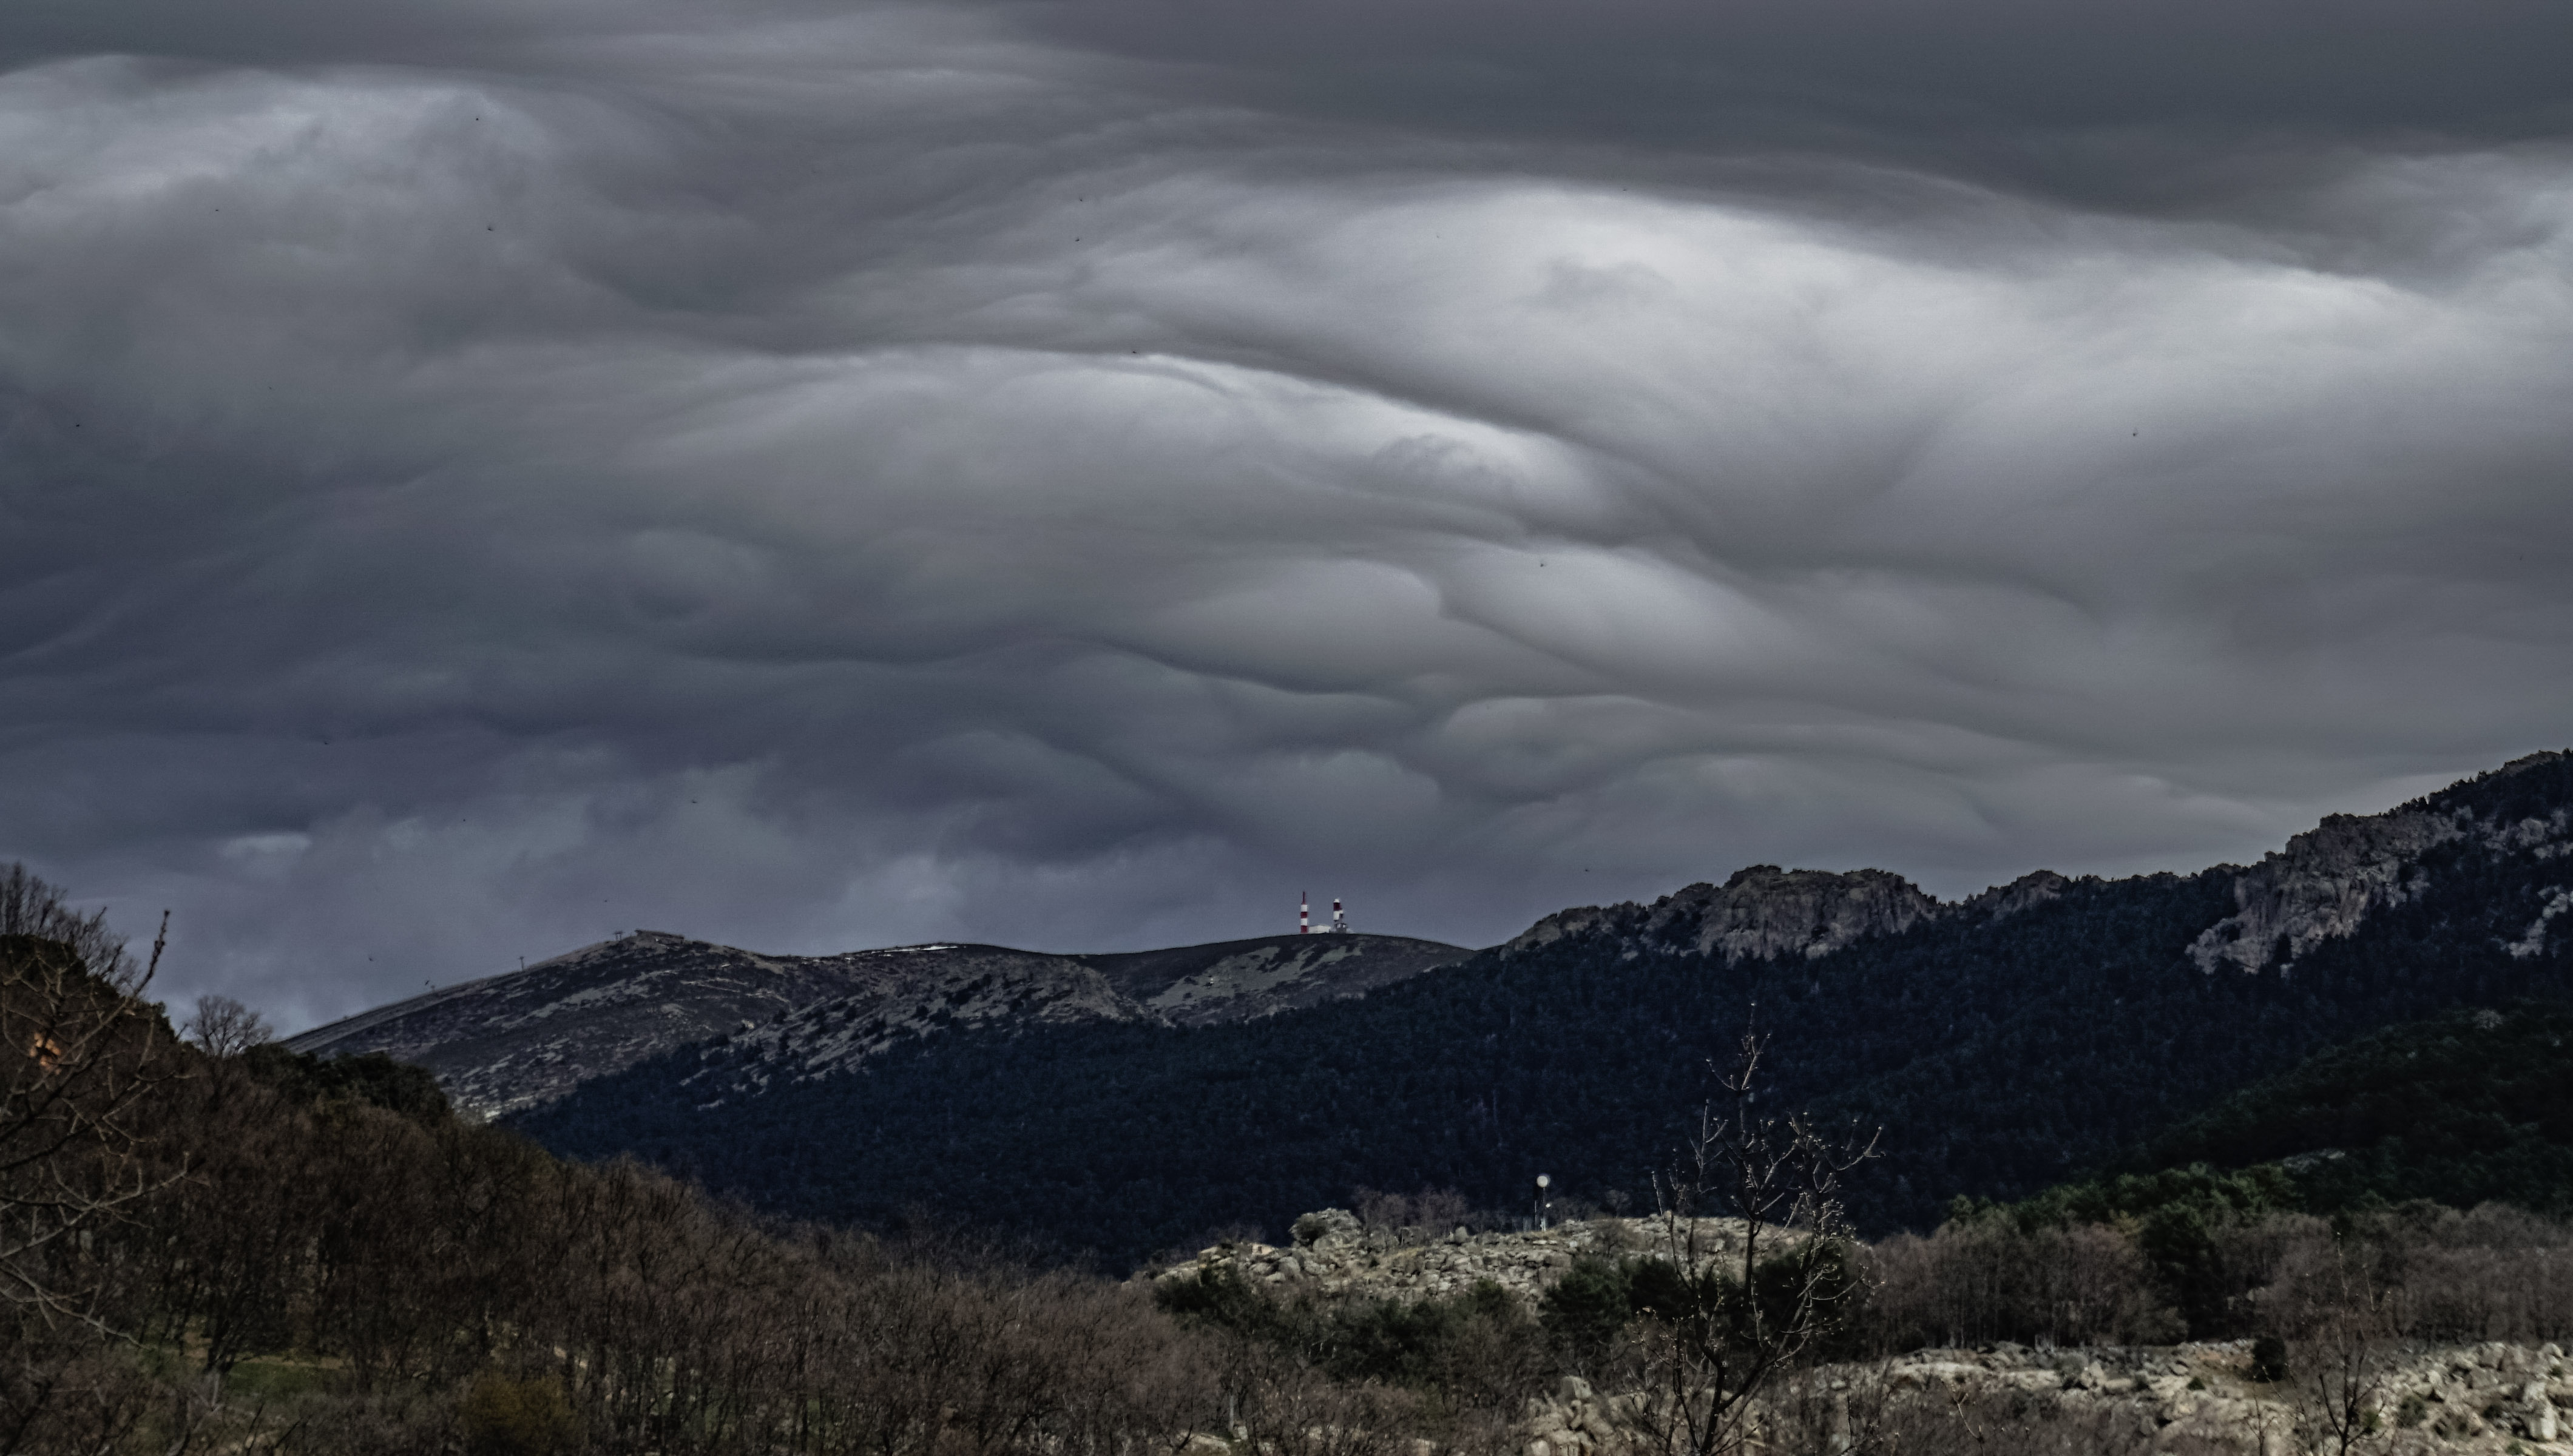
(2003, 1043)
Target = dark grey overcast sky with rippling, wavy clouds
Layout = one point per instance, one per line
(485, 475)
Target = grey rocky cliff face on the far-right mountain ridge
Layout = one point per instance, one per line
(2332, 876)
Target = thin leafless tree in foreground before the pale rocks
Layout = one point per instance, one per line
(1759, 1264)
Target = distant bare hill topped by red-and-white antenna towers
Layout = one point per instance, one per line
(526, 1038)
